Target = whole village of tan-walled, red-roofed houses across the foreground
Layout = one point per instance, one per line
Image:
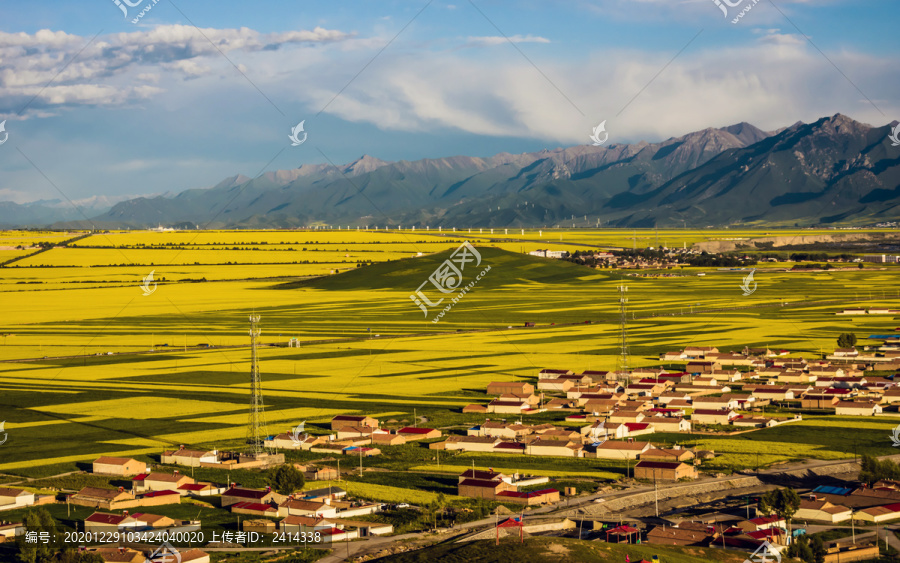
(601, 414)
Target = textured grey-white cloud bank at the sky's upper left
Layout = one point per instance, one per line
(99, 73)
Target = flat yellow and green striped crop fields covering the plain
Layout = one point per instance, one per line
(366, 347)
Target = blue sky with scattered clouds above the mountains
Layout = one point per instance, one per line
(96, 105)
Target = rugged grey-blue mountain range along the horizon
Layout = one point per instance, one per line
(834, 171)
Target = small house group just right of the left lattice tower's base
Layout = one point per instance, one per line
(356, 435)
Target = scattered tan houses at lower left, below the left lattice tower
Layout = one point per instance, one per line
(326, 511)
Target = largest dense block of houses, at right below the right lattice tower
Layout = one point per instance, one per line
(713, 389)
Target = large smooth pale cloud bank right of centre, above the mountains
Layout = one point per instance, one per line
(770, 83)
